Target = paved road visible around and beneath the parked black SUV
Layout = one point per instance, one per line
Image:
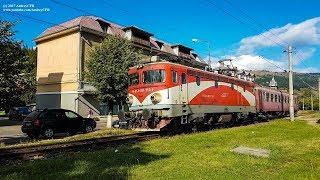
(10, 131)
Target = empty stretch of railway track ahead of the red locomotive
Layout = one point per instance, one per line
(14, 155)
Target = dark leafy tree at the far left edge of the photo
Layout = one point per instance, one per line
(11, 63)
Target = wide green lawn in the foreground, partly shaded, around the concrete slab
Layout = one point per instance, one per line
(295, 154)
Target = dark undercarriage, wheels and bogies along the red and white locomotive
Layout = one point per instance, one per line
(187, 121)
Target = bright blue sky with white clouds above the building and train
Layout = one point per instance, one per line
(270, 27)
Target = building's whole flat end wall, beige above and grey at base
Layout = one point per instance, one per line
(57, 72)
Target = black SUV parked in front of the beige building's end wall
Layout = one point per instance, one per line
(50, 121)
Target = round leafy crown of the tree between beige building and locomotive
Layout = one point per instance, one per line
(107, 67)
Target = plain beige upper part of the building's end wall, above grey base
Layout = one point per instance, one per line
(57, 65)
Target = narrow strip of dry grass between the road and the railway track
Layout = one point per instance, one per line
(95, 134)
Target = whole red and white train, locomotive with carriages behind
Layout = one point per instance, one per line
(167, 95)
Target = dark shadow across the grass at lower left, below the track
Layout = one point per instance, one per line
(115, 163)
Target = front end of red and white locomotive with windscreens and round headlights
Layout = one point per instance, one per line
(148, 99)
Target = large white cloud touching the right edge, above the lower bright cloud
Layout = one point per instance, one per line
(303, 34)
